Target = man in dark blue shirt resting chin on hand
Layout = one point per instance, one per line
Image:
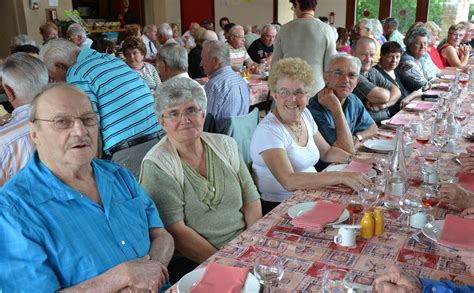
(340, 115)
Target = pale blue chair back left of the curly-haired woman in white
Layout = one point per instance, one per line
(241, 129)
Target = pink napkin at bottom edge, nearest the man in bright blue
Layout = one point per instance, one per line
(219, 278)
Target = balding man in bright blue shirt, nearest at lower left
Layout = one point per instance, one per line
(69, 221)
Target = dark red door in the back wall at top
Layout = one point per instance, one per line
(196, 11)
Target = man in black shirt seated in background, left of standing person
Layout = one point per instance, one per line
(262, 48)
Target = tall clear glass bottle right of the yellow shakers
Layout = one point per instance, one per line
(397, 175)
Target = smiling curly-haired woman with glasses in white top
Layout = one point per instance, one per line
(287, 144)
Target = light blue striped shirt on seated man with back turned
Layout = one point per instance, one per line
(227, 95)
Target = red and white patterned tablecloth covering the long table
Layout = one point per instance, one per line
(306, 255)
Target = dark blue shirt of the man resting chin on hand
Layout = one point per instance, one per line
(357, 117)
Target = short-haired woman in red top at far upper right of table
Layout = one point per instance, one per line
(453, 53)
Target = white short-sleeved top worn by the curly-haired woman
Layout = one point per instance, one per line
(272, 134)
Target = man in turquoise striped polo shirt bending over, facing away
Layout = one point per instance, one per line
(118, 94)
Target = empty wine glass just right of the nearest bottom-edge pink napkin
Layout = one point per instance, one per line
(269, 271)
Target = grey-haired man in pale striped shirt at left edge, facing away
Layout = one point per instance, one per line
(23, 76)
